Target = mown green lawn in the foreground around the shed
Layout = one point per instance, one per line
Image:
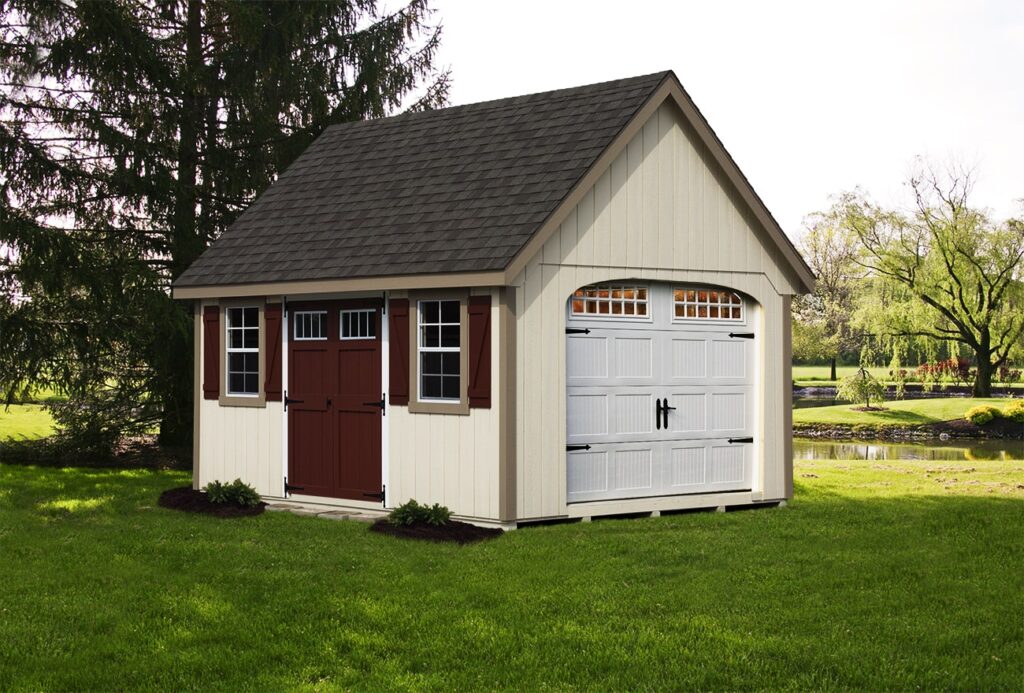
(893, 576)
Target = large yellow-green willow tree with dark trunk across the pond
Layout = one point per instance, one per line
(944, 272)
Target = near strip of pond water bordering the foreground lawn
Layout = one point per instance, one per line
(933, 451)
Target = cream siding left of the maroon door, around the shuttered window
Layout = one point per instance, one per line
(238, 443)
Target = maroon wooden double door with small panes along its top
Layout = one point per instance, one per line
(335, 403)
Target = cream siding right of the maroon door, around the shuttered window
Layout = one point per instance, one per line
(450, 459)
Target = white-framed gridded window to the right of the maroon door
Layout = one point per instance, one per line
(439, 346)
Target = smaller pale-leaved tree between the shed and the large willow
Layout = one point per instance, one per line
(824, 319)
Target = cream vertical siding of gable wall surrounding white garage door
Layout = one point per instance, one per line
(660, 213)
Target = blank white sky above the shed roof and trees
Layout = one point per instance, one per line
(812, 99)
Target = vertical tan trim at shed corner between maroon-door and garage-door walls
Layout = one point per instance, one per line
(506, 406)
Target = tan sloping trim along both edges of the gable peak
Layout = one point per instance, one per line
(670, 90)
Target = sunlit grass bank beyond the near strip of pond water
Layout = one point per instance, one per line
(897, 413)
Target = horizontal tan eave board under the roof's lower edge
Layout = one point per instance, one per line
(295, 289)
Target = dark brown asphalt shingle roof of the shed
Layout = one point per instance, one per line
(450, 191)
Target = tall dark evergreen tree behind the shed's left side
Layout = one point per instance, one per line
(132, 135)
